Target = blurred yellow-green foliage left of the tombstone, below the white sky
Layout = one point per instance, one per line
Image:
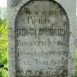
(3, 43)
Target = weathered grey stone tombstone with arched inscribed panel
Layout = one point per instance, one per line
(41, 35)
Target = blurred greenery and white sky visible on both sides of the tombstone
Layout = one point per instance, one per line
(3, 40)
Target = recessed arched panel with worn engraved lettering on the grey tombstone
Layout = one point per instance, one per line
(42, 40)
